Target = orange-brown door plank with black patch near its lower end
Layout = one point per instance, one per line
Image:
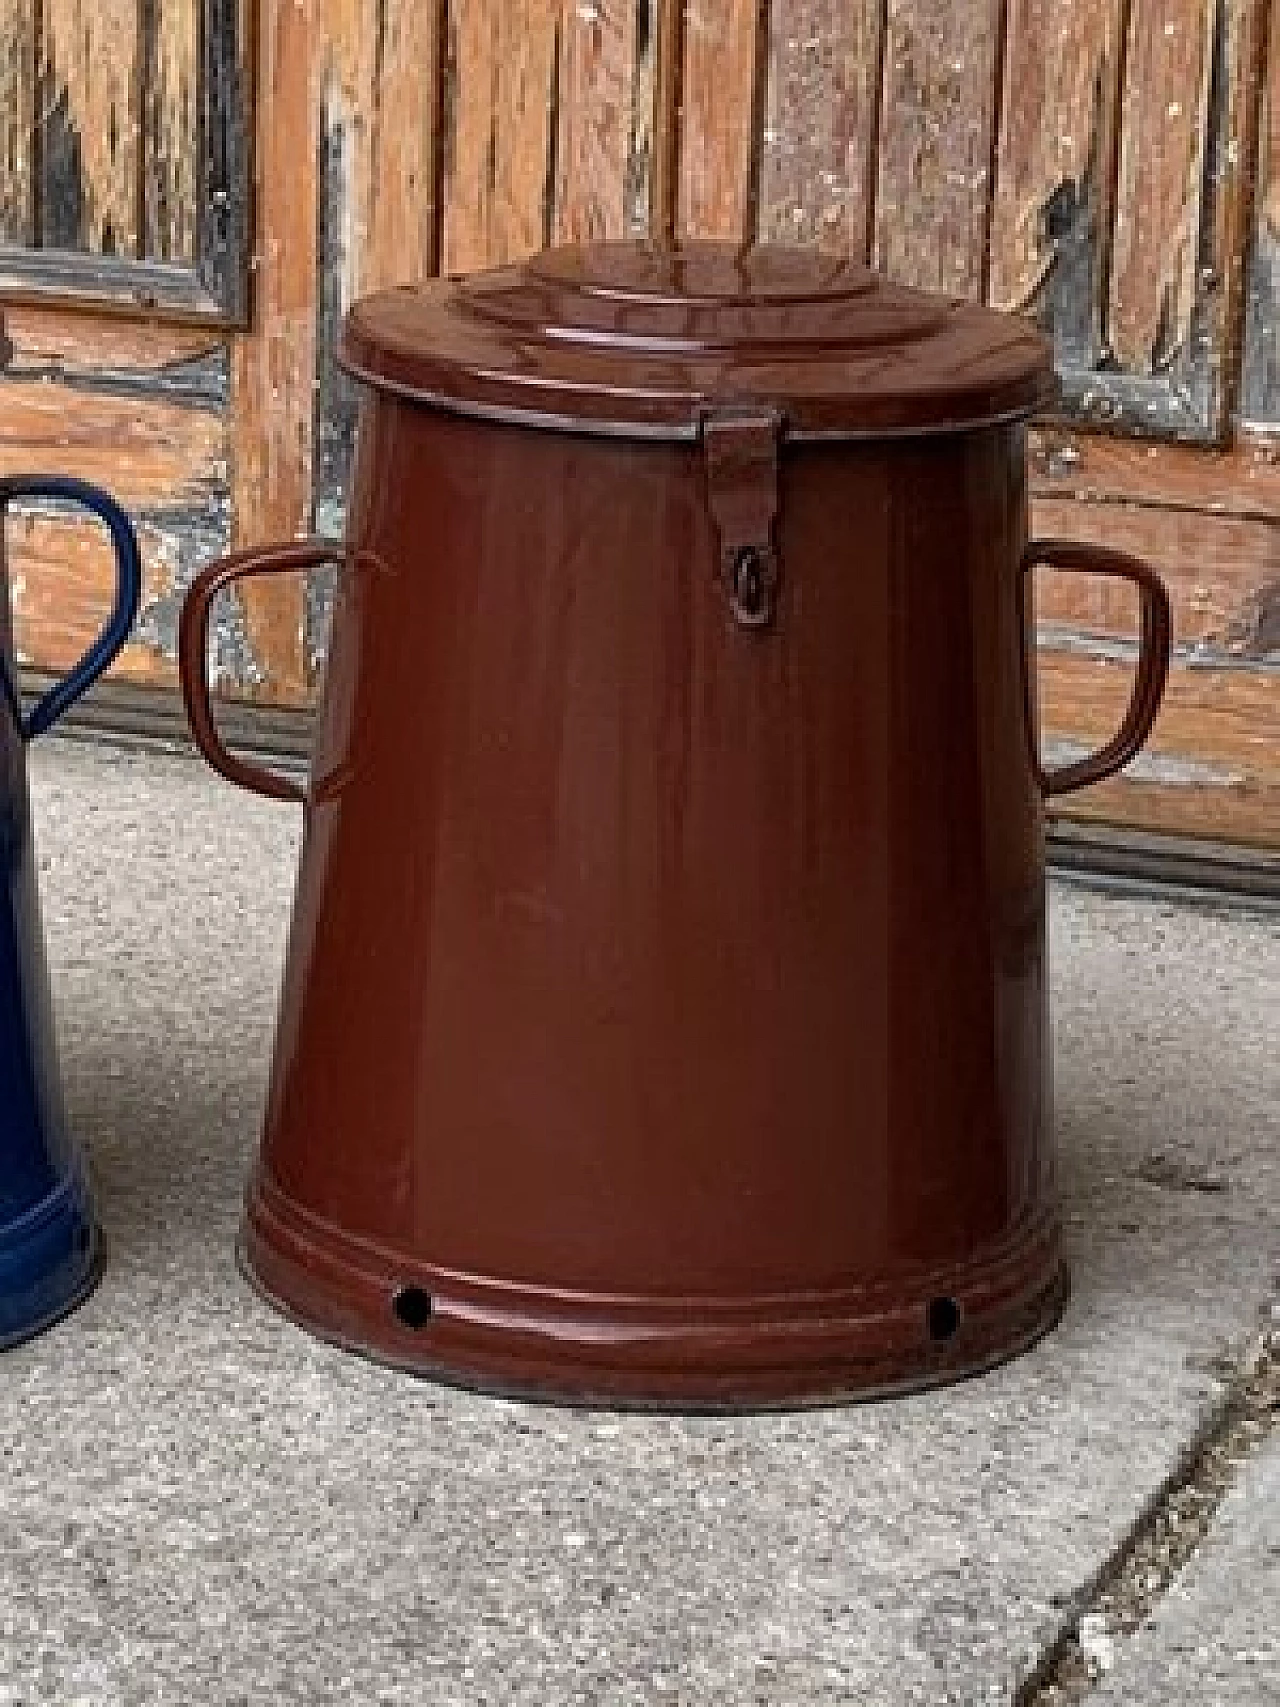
(1054, 192)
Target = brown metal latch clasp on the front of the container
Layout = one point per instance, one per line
(742, 452)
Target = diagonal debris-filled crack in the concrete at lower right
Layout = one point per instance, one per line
(1134, 1580)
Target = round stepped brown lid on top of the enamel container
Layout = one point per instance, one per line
(646, 341)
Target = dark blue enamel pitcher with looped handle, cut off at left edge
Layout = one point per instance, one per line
(50, 1244)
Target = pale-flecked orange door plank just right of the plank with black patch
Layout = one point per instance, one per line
(1161, 182)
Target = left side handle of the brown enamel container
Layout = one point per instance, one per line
(194, 655)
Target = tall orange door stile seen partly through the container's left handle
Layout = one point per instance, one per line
(274, 371)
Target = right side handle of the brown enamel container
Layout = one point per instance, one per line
(1156, 644)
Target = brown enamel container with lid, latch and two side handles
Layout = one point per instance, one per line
(665, 1015)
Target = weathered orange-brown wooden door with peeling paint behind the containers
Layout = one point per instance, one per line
(1102, 165)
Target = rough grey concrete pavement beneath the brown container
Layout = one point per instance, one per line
(202, 1505)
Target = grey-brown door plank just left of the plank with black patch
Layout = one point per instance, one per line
(936, 148)
